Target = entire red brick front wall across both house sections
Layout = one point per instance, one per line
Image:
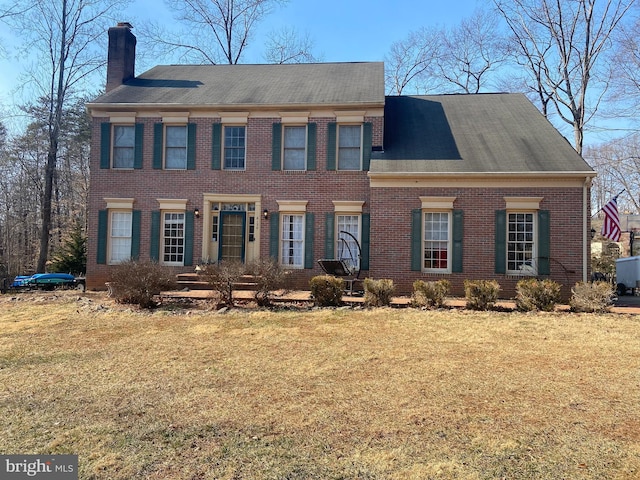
(390, 208)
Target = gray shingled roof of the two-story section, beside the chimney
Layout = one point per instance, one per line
(254, 85)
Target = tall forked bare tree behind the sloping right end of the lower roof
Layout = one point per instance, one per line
(563, 44)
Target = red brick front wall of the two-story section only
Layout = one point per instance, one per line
(319, 187)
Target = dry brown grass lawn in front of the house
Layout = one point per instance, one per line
(367, 394)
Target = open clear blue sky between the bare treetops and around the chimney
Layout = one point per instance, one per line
(342, 31)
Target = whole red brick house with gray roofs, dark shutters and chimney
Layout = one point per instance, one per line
(196, 163)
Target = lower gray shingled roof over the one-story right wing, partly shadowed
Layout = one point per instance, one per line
(479, 133)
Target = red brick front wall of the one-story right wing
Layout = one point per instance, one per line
(391, 234)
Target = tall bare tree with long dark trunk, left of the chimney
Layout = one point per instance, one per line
(65, 35)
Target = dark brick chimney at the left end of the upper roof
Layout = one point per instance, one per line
(122, 55)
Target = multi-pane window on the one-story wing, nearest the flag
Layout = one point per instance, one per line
(521, 245)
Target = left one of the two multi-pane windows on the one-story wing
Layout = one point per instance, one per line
(436, 241)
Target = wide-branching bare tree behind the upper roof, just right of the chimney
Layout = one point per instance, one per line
(211, 31)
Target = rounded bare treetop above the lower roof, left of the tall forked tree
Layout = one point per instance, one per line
(471, 52)
